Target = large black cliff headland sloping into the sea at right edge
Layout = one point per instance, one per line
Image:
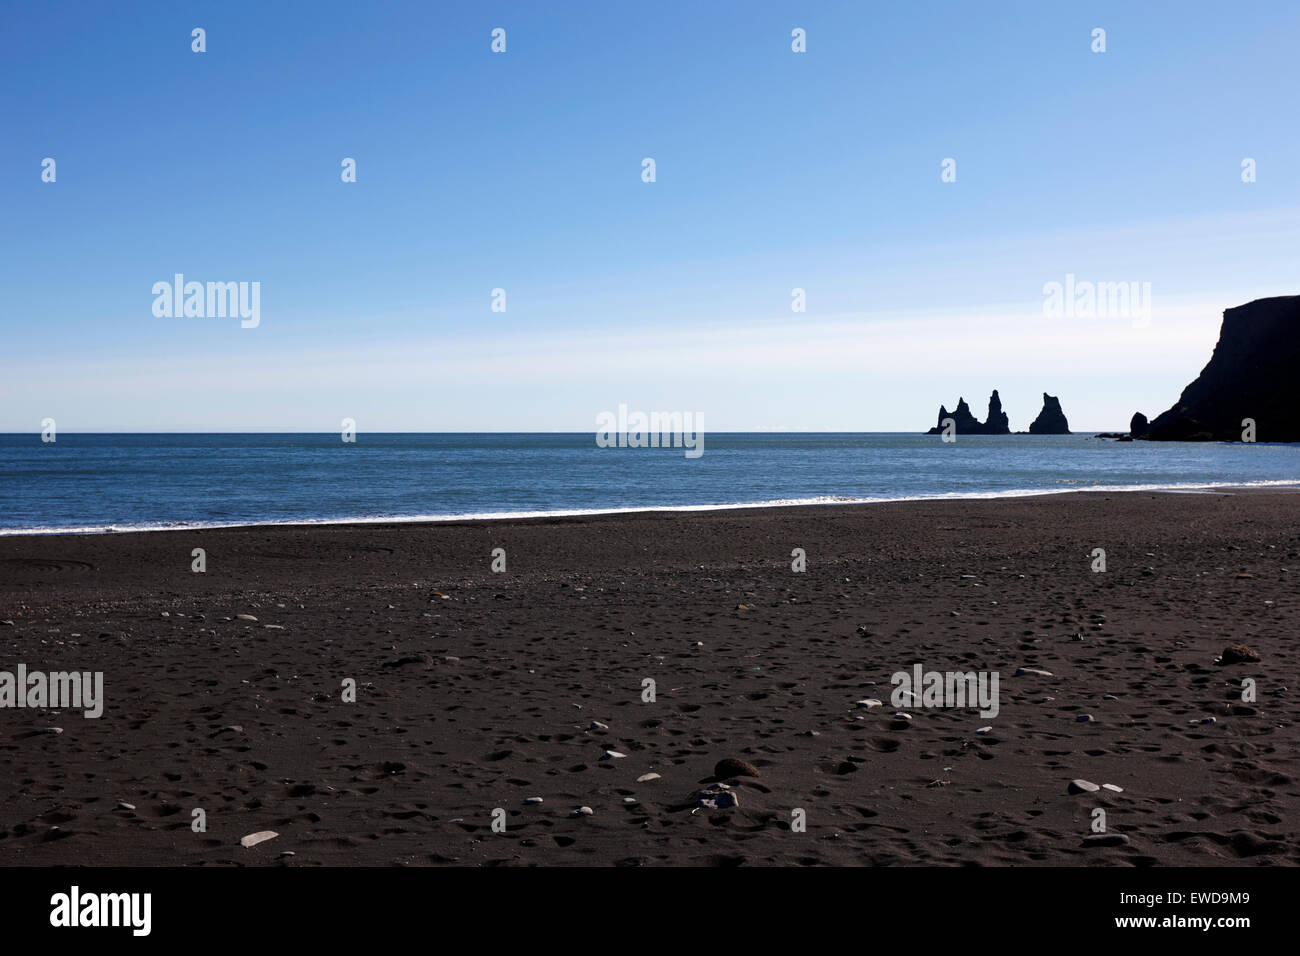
(1254, 374)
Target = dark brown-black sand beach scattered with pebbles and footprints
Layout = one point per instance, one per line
(476, 689)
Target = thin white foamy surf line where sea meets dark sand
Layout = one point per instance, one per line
(506, 517)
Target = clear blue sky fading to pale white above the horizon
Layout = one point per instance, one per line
(523, 171)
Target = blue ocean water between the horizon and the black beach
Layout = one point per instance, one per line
(138, 482)
